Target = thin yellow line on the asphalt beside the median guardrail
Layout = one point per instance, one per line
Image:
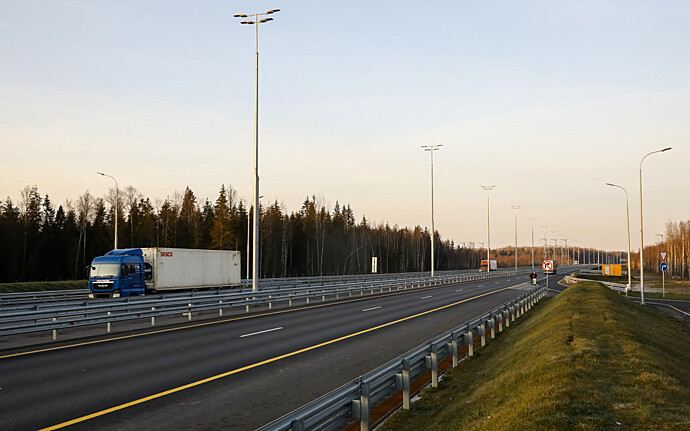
(215, 322)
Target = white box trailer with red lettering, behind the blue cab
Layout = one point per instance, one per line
(185, 268)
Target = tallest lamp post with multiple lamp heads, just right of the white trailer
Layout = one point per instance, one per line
(255, 241)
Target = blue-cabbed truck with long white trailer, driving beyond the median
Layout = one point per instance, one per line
(138, 271)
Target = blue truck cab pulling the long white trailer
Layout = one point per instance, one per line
(118, 273)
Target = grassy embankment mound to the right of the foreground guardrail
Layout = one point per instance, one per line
(586, 359)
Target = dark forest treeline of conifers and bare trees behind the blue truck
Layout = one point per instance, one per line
(42, 242)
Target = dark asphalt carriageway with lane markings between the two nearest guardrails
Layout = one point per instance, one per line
(236, 373)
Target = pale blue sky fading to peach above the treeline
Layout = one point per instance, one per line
(547, 100)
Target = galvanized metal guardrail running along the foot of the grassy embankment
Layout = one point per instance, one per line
(356, 399)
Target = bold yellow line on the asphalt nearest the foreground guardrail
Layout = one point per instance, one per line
(257, 364)
